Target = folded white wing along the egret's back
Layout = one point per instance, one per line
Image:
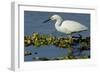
(73, 26)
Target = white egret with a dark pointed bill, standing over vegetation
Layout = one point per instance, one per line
(67, 26)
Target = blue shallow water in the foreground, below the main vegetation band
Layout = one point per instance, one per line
(52, 52)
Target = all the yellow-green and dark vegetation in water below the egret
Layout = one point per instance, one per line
(38, 40)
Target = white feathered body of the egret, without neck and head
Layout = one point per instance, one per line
(69, 27)
